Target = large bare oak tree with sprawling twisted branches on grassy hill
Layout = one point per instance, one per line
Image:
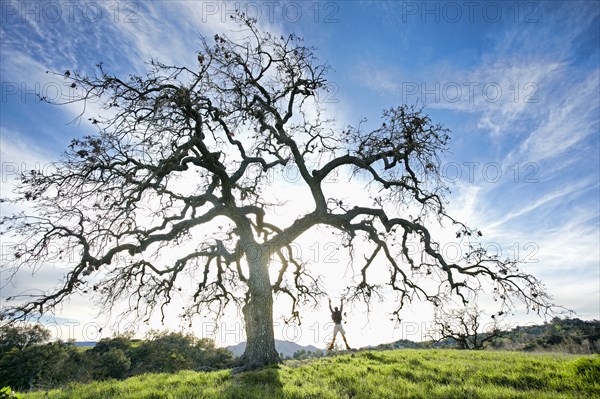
(169, 193)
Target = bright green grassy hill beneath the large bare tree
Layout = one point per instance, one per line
(426, 374)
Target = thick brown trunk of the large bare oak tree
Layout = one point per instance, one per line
(258, 316)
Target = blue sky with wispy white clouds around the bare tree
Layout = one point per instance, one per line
(518, 84)
